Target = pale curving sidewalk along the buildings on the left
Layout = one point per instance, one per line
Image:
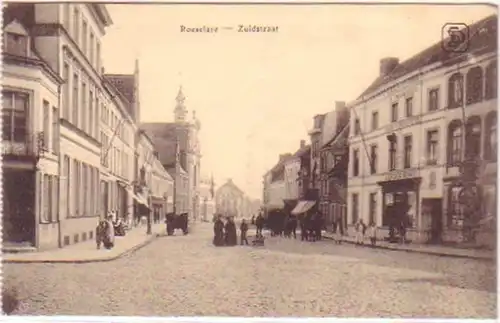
(87, 252)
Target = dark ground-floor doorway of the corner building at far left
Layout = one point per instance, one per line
(19, 206)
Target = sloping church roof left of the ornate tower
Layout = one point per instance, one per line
(163, 136)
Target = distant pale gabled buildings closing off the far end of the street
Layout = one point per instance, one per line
(230, 200)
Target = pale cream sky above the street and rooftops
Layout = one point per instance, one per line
(256, 93)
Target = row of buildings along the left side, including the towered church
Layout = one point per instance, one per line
(73, 146)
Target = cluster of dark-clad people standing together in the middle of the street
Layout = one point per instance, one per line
(225, 233)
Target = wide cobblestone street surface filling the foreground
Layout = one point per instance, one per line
(186, 275)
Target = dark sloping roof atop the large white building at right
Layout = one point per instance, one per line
(479, 41)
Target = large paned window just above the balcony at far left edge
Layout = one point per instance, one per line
(14, 115)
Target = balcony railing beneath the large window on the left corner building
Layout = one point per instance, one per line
(33, 146)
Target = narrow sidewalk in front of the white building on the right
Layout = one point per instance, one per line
(436, 250)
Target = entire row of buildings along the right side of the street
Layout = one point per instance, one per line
(407, 136)
